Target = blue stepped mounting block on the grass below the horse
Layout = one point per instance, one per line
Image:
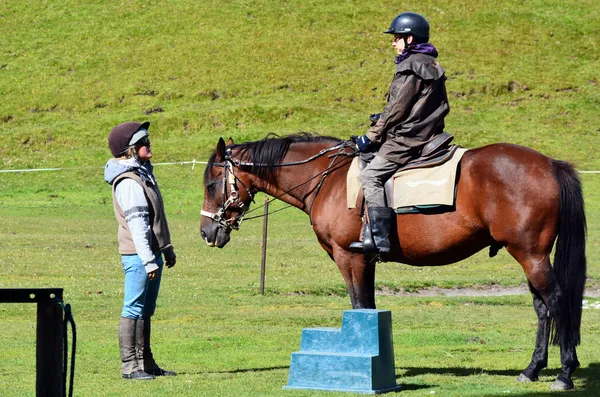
(358, 358)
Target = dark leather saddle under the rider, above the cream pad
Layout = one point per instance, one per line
(436, 152)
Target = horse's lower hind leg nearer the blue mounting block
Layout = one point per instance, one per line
(539, 360)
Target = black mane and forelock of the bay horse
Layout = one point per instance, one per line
(267, 153)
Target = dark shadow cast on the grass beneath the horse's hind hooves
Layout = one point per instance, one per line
(589, 376)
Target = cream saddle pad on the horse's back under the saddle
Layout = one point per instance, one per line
(415, 187)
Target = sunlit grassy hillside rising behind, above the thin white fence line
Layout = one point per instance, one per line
(522, 72)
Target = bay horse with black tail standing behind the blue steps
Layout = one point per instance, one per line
(506, 196)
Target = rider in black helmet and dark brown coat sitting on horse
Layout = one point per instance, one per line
(415, 111)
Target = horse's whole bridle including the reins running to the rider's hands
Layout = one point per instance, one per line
(233, 223)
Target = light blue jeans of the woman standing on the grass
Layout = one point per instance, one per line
(140, 292)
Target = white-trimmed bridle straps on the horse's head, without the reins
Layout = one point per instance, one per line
(233, 201)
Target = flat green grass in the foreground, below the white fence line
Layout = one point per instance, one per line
(214, 327)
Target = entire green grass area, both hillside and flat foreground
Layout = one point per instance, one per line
(523, 72)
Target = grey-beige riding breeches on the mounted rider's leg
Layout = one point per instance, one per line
(373, 178)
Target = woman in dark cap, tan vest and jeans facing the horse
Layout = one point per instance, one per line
(143, 240)
